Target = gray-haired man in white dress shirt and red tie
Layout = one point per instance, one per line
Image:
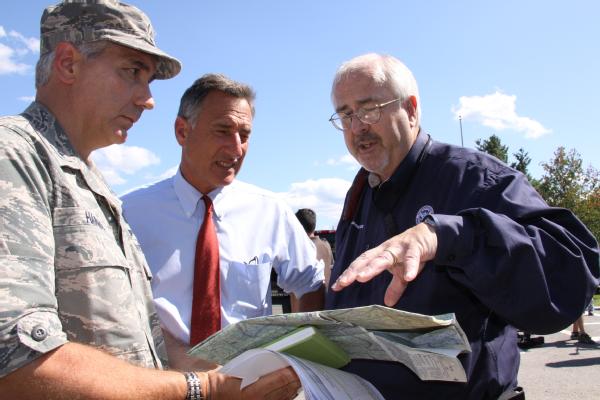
(256, 231)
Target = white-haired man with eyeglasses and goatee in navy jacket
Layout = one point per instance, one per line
(434, 228)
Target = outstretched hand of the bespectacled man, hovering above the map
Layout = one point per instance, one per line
(403, 255)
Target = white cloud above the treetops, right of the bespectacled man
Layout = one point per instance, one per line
(498, 111)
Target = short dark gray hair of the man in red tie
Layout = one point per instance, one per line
(192, 99)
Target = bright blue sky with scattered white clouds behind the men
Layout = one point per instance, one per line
(527, 71)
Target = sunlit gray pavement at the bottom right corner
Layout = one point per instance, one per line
(562, 369)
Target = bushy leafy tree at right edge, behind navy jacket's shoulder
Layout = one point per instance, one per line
(566, 184)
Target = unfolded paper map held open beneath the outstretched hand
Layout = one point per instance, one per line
(428, 345)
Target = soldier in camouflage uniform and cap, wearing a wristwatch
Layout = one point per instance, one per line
(74, 286)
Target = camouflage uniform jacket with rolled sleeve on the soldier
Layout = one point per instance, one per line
(70, 267)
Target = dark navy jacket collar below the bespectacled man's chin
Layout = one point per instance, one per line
(387, 194)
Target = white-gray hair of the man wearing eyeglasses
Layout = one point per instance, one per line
(384, 69)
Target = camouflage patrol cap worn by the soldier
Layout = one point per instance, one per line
(82, 21)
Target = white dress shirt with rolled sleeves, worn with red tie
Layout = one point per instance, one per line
(256, 232)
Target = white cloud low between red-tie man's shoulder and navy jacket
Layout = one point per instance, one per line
(325, 196)
